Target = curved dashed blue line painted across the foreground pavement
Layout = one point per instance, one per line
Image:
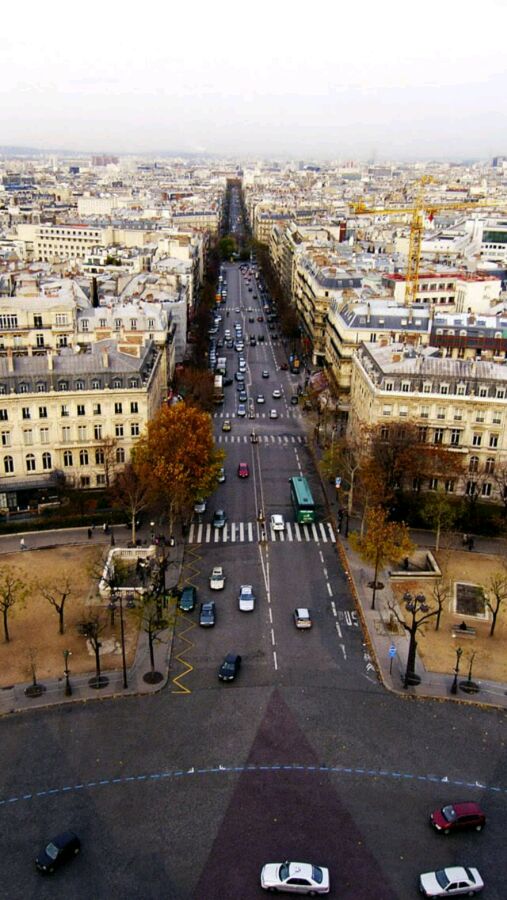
(227, 770)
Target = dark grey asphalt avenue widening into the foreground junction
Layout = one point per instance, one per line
(305, 756)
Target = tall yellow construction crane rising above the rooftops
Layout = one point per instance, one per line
(418, 211)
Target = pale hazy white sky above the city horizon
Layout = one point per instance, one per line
(387, 79)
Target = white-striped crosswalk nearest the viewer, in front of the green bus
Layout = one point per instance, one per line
(248, 532)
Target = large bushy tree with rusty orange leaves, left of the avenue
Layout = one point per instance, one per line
(178, 458)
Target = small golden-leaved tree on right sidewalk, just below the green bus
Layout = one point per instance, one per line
(383, 541)
